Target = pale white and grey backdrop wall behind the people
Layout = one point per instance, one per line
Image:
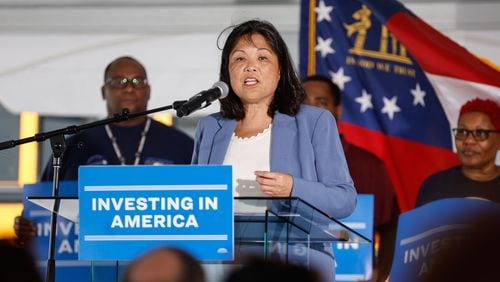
(54, 52)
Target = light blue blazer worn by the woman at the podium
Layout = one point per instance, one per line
(306, 146)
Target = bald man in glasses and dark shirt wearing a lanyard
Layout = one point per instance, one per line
(140, 140)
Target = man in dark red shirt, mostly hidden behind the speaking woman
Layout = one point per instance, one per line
(368, 173)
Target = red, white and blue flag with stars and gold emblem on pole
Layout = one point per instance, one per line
(403, 83)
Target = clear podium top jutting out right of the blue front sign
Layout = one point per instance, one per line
(289, 220)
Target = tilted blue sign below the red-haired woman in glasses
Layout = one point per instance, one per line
(425, 231)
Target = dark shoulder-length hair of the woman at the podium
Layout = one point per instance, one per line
(288, 95)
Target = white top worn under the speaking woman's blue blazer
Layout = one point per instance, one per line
(246, 155)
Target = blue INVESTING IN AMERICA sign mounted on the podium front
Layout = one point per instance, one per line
(126, 211)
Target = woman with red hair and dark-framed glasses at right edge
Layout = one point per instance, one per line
(477, 138)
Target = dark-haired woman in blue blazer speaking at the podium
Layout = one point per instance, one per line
(272, 141)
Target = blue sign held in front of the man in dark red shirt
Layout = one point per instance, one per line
(354, 260)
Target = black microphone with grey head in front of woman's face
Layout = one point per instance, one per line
(203, 99)
